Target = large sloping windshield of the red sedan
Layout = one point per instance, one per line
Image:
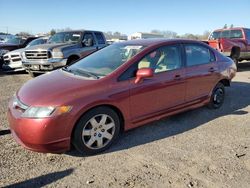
(105, 61)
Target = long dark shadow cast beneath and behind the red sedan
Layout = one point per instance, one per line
(237, 98)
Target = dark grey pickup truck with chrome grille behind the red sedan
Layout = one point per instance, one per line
(62, 49)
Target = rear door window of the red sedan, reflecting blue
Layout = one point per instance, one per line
(198, 55)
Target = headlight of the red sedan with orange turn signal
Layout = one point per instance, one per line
(43, 112)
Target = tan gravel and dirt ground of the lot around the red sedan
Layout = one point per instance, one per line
(199, 148)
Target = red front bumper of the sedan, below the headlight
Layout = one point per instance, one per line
(46, 135)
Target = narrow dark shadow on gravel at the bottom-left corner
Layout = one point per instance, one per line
(42, 180)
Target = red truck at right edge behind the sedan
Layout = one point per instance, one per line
(232, 42)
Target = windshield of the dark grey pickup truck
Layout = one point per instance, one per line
(66, 37)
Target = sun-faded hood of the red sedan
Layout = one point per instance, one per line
(56, 88)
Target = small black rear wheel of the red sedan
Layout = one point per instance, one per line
(217, 97)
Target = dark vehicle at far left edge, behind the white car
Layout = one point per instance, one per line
(13, 44)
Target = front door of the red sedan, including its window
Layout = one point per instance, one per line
(166, 89)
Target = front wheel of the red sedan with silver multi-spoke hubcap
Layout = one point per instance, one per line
(96, 130)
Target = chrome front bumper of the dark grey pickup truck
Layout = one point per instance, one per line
(43, 65)
